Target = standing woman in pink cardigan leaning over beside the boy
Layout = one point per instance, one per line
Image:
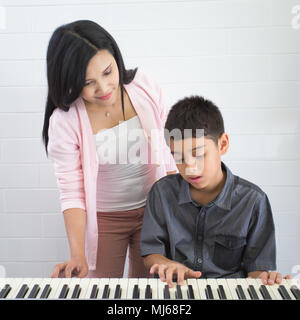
(90, 95)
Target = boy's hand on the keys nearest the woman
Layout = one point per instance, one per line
(167, 270)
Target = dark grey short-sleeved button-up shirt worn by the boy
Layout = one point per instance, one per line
(228, 237)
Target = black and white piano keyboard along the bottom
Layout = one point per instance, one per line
(147, 288)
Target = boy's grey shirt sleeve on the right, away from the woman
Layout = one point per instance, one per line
(260, 252)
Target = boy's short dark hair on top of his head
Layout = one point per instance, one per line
(193, 113)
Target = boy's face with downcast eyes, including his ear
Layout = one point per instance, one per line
(199, 159)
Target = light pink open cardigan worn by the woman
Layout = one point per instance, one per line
(72, 148)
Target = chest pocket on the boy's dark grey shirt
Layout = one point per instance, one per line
(228, 251)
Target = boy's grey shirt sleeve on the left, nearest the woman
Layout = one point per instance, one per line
(154, 235)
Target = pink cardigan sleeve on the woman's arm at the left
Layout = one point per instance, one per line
(64, 151)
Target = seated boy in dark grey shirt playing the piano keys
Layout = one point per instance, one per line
(205, 221)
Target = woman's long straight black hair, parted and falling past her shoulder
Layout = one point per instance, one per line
(69, 51)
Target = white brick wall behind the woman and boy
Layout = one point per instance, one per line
(242, 54)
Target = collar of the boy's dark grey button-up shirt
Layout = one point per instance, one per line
(223, 200)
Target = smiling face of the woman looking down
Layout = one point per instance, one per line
(102, 80)
